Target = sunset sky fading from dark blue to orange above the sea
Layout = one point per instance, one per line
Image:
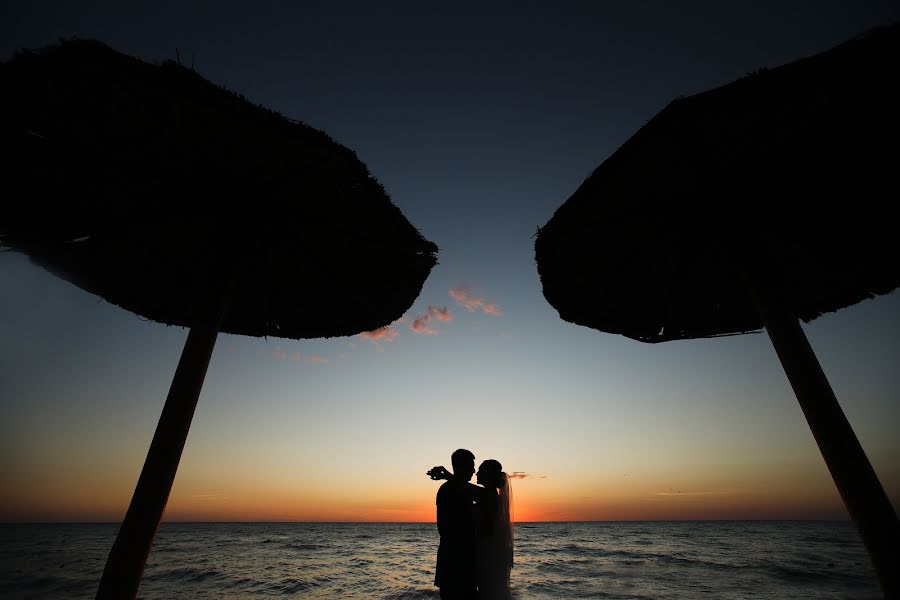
(479, 121)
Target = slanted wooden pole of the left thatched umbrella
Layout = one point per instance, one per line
(125, 565)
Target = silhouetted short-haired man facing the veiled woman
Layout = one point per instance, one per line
(455, 572)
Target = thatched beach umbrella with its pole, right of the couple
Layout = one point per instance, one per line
(750, 206)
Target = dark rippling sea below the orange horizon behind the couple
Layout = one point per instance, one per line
(627, 560)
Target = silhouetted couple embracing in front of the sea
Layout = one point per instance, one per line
(476, 550)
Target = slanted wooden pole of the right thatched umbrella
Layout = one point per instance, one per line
(853, 475)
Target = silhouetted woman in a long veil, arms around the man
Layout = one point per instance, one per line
(492, 508)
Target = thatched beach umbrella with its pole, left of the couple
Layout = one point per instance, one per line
(187, 205)
